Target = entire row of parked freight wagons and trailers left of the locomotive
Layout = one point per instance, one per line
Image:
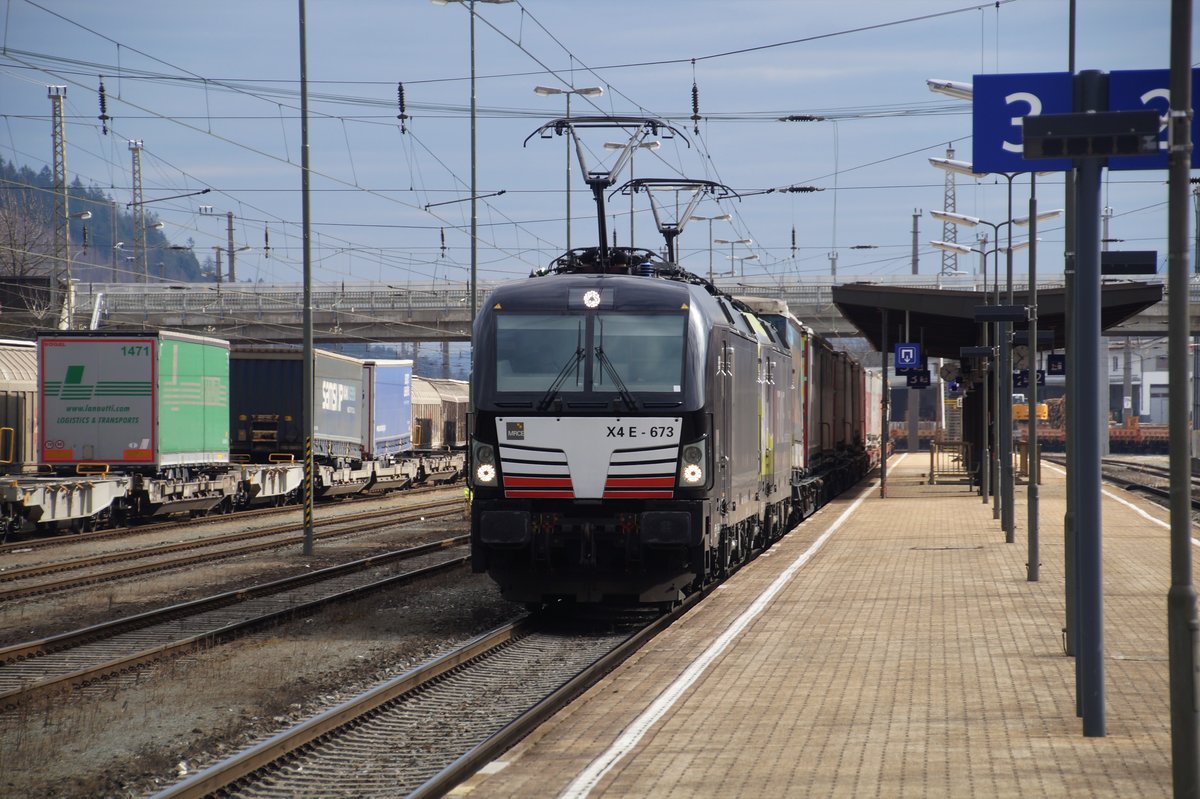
(141, 426)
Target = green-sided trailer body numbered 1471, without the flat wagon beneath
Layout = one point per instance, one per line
(116, 401)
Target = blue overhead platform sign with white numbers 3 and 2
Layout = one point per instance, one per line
(1000, 101)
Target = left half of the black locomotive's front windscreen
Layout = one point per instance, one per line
(533, 351)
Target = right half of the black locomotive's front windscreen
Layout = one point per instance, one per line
(645, 351)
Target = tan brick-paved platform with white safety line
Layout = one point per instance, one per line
(905, 656)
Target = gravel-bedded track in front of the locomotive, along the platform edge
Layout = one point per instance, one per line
(424, 732)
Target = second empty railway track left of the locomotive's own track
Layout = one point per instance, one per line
(57, 576)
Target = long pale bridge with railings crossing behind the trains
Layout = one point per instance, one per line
(391, 313)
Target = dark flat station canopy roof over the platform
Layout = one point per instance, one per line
(944, 320)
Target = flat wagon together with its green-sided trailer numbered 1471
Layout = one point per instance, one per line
(143, 414)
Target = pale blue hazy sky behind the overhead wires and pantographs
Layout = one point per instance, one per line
(213, 93)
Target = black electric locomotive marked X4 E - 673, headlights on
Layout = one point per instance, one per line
(632, 434)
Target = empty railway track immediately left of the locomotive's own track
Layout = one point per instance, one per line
(124, 648)
